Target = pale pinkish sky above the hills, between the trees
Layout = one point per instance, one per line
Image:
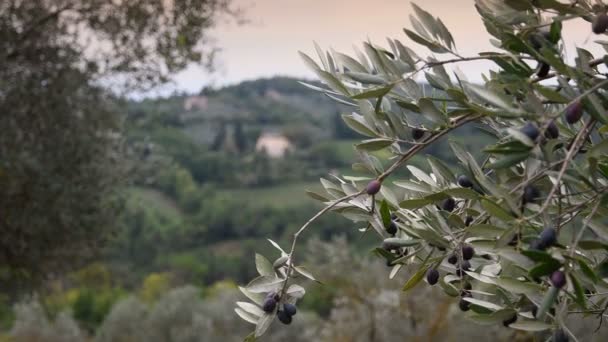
(268, 46)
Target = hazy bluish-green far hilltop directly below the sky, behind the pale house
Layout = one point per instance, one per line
(260, 105)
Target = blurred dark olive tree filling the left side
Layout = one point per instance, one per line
(61, 151)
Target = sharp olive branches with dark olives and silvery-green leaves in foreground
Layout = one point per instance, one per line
(519, 229)
